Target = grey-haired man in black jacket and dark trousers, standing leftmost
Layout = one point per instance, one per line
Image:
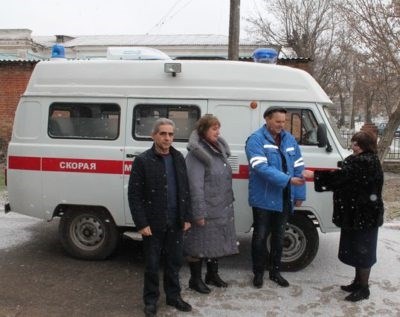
(159, 201)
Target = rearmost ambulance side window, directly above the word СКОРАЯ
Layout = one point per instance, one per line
(95, 121)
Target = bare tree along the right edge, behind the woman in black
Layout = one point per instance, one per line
(376, 26)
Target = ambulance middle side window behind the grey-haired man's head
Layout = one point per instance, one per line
(184, 117)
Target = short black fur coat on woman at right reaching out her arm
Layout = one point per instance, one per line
(357, 191)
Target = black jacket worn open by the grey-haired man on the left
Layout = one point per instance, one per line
(147, 190)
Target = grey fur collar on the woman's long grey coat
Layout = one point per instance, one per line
(203, 151)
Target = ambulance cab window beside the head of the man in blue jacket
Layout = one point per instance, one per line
(303, 125)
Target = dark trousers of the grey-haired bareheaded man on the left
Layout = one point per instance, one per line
(169, 241)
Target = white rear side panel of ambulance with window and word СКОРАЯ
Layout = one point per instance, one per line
(82, 161)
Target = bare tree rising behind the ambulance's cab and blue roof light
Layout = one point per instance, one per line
(313, 30)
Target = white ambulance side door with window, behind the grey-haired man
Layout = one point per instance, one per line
(142, 113)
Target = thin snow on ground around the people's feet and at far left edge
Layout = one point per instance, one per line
(314, 291)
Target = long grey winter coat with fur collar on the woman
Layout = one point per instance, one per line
(210, 182)
